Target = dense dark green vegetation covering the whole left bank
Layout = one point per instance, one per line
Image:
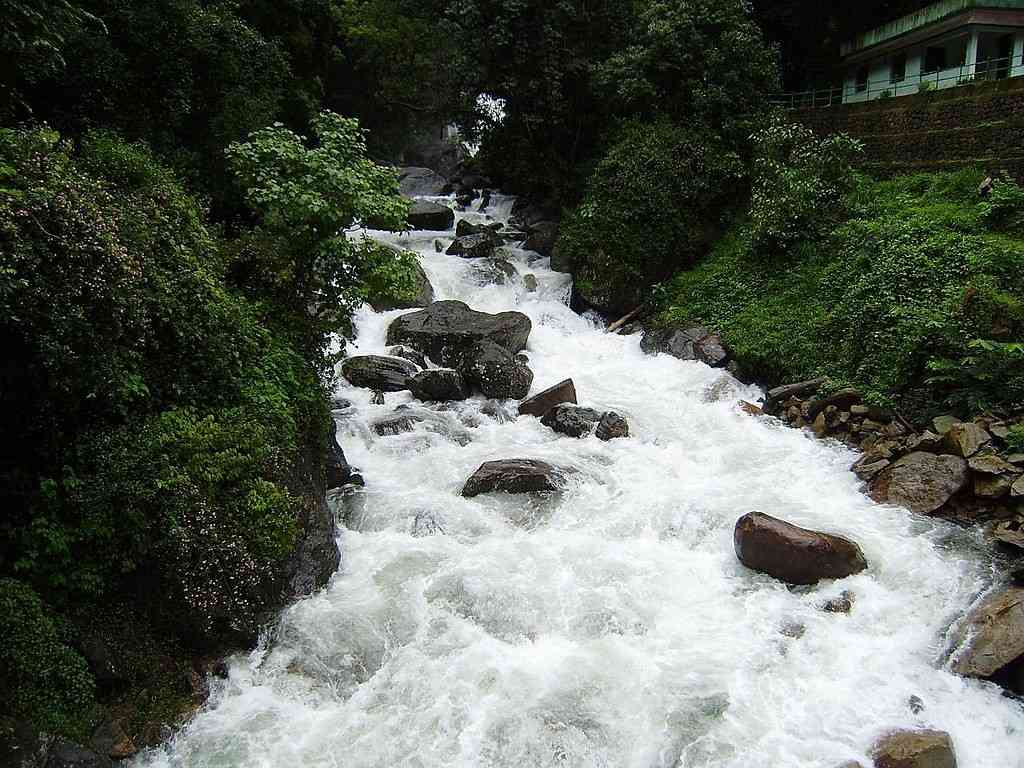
(173, 262)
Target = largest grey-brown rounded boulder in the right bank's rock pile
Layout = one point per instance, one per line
(921, 482)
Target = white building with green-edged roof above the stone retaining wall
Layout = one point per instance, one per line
(950, 44)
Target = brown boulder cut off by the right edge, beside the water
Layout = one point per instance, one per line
(993, 636)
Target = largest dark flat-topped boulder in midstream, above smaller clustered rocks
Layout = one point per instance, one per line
(447, 330)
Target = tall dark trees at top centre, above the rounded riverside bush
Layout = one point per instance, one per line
(566, 71)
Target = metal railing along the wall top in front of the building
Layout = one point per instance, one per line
(992, 69)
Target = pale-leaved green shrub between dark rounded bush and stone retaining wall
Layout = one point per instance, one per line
(800, 185)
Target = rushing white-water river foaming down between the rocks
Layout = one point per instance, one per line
(611, 625)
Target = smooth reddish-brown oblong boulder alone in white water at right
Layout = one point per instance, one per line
(793, 554)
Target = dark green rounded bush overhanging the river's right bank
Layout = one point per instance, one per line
(653, 205)
